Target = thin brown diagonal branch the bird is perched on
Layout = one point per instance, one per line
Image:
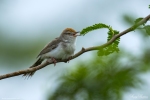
(144, 20)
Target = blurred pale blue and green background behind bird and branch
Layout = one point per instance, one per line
(26, 26)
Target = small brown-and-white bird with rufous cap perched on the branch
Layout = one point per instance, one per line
(62, 47)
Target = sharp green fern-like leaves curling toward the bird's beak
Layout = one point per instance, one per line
(109, 49)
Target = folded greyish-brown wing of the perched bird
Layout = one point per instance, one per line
(52, 45)
